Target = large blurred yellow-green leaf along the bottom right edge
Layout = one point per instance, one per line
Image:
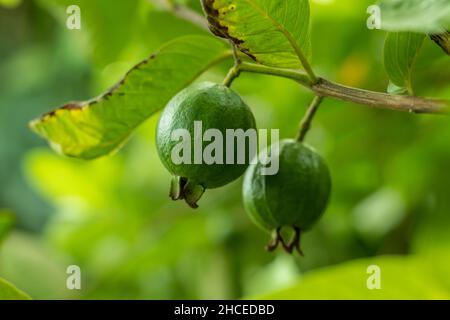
(401, 278)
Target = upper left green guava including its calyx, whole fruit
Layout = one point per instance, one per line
(216, 107)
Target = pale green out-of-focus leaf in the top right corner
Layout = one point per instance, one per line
(426, 16)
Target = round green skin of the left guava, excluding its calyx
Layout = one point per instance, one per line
(218, 107)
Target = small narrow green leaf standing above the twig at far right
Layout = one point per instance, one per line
(400, 52)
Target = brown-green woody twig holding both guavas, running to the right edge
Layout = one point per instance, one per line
(325, 88)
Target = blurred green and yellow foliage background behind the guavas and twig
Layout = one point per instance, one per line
(113, 217)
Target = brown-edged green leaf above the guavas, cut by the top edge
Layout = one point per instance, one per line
(273, 33)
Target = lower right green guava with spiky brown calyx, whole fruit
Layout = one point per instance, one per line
(295, 197)
